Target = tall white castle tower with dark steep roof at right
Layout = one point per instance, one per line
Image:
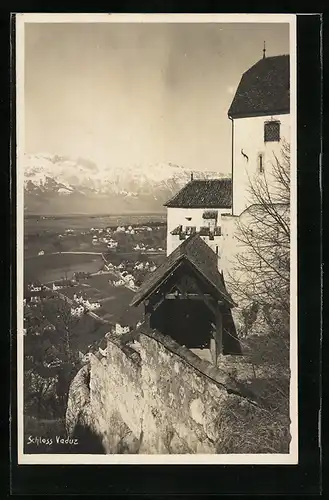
(260, 117)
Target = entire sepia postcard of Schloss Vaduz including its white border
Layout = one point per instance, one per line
(156, 239)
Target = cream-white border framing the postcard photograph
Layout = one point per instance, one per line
(260, 459)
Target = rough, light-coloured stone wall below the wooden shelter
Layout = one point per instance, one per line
(151, 395)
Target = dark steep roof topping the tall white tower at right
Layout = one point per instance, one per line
(264, 89)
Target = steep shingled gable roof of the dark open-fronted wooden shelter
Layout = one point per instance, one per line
(200, 255)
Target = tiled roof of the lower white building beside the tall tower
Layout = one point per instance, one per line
(203, 193)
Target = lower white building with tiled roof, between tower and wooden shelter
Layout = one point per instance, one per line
(197, 209)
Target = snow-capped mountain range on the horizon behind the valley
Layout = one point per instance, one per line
(58, 184)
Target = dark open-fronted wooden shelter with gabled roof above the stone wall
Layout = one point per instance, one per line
(186, 299)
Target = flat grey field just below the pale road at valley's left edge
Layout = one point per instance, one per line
(52, 267)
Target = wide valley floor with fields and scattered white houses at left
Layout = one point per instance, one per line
(97, 259)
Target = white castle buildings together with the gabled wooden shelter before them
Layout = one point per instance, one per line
(187, 298)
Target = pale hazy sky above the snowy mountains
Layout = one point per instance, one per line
(139, 93)
